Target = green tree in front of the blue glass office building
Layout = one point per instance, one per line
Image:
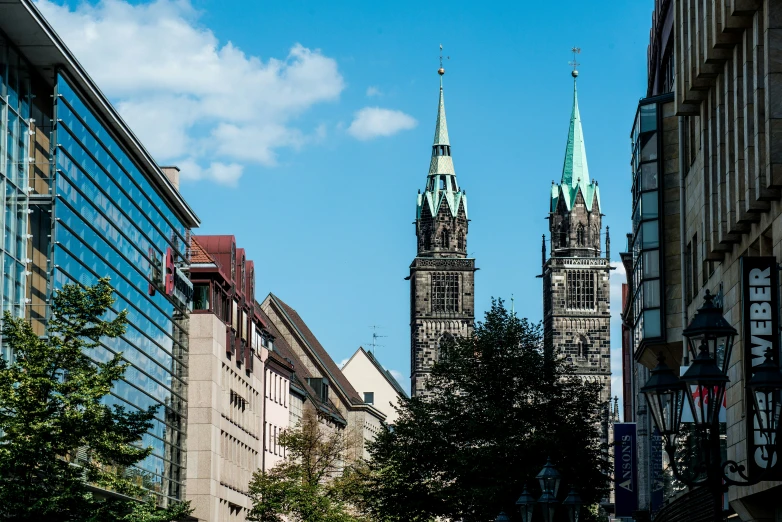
(58, 438)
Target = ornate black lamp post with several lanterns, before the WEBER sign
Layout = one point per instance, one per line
(713, 337)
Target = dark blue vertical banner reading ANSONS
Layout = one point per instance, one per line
(625, 469)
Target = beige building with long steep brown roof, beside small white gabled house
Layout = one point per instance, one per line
(338, 402)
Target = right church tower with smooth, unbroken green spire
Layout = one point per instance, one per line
(576, 289)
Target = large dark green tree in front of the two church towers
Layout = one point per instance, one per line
(498, 407)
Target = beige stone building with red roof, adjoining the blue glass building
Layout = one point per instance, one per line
(226, 390)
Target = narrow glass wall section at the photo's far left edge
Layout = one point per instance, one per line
(14, 163)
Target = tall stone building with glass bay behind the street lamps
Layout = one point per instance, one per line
(707, 206)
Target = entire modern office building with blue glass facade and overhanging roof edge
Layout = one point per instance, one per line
(83, 199)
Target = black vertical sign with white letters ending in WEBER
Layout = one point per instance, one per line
(760, 332)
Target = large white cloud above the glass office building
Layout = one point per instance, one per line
(191, 99)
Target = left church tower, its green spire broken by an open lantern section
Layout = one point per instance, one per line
(442, 301)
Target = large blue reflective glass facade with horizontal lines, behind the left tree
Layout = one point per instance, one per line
(110, 221)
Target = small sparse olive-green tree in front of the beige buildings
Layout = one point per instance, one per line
(309, 485)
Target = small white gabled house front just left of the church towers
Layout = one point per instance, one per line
(376, 384)
